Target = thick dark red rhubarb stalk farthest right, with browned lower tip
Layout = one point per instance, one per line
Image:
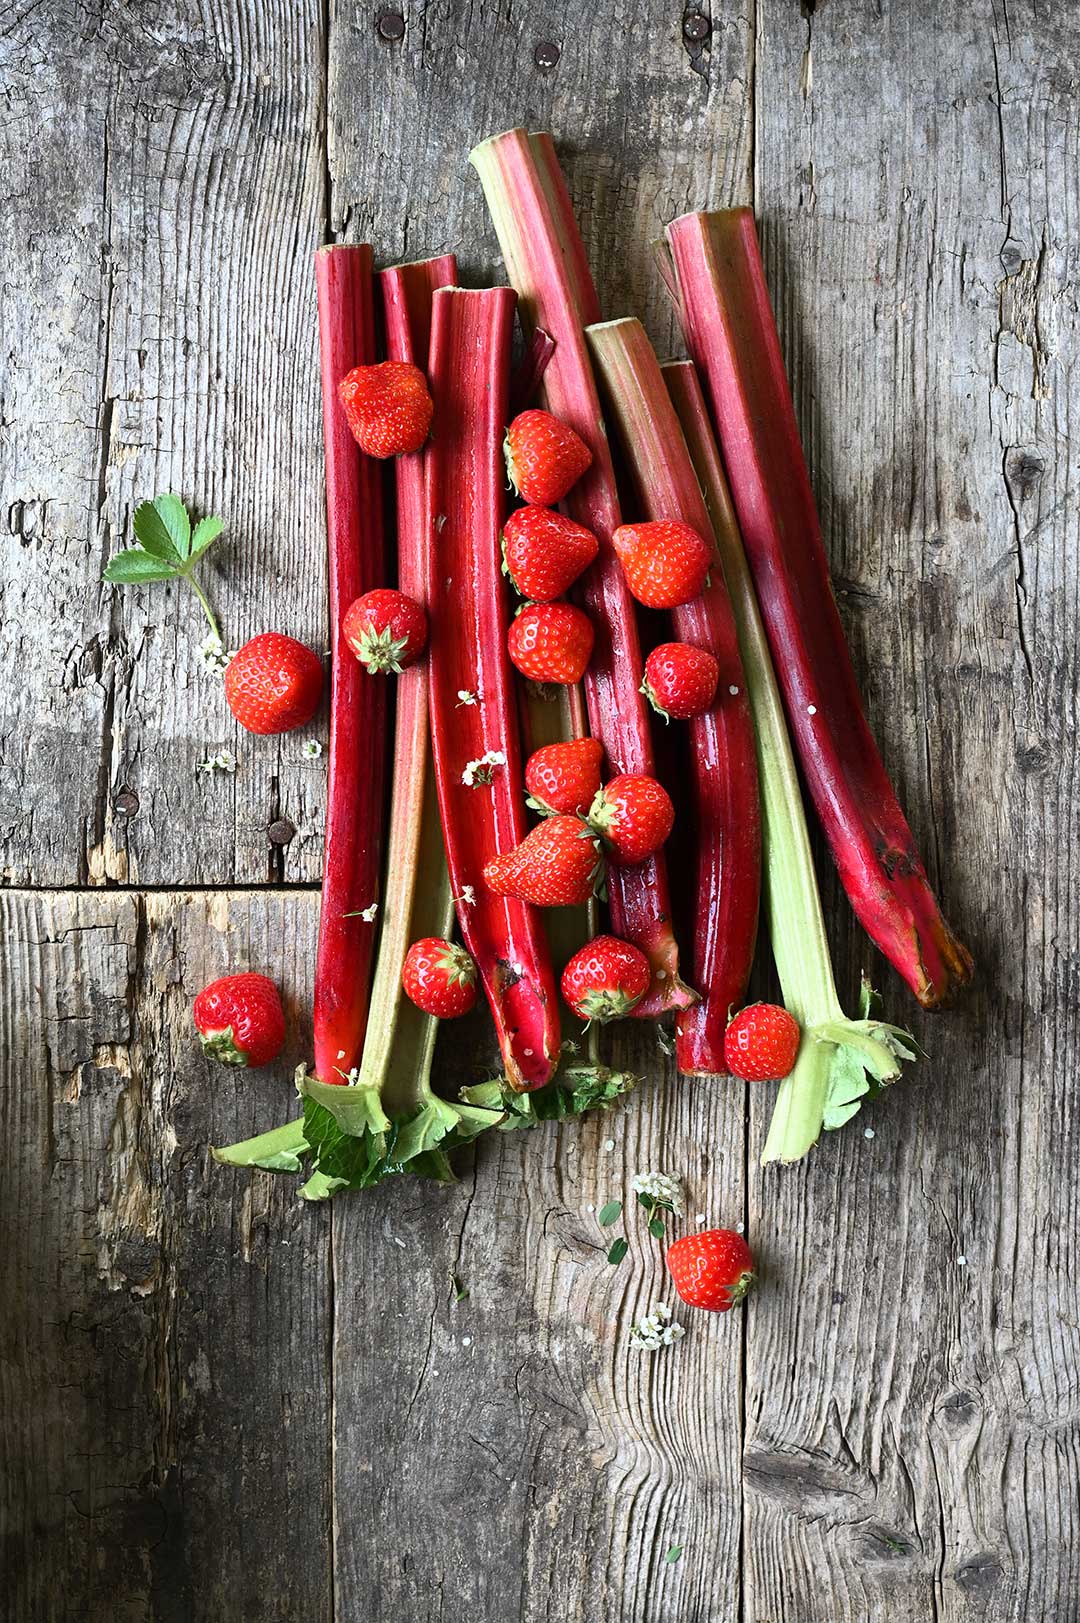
(732, 335)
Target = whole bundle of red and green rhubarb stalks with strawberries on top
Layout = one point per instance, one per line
(524, 790)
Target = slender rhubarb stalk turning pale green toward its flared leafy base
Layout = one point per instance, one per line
(840, 1061)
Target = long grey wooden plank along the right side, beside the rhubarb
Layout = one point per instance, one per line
(912, 1437)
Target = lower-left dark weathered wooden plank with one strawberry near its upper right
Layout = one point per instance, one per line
(165, 1379)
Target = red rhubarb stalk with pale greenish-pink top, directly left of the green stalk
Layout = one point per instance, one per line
(724, 756)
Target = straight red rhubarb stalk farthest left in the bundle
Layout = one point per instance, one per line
(358, 705)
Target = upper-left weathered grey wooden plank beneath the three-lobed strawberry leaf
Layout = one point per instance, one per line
(165, 187)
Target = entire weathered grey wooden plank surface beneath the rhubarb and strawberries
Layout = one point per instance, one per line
(220, 1406)
